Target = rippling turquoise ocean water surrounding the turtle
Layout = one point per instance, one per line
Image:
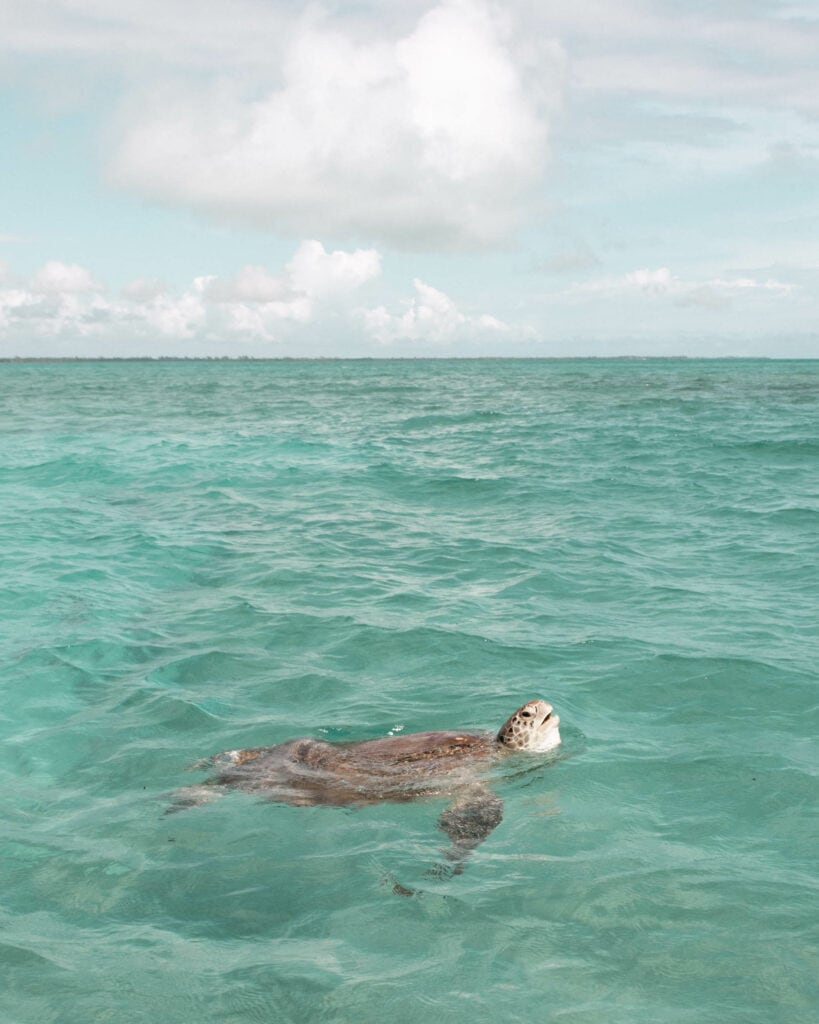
(202, 557)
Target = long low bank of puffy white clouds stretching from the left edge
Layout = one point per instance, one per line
(315, 288)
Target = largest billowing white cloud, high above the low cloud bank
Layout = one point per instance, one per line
(437, 138)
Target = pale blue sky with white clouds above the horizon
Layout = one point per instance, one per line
(360, 179)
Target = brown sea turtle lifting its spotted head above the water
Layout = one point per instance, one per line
(308, 773)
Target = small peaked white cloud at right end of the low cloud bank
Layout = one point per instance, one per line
(430, 317)
